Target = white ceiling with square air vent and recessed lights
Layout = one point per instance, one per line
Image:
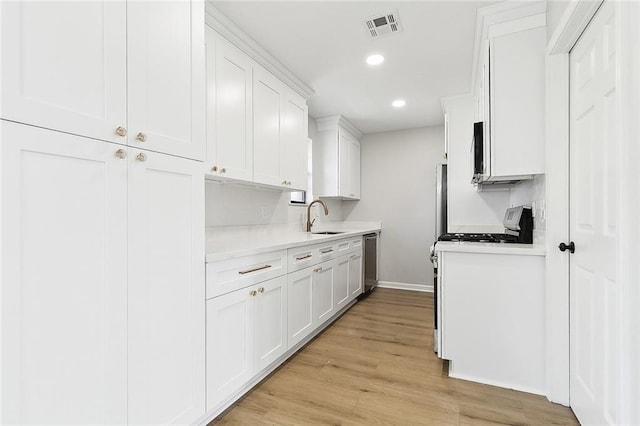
(325, 44)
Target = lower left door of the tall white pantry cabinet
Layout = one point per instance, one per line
(64, 282)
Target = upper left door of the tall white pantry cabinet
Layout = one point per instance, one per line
(64, 66)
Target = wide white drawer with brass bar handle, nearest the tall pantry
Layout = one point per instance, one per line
(228, 275)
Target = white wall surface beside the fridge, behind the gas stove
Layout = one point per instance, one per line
(468, 210)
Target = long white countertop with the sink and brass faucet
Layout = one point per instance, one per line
(223, 243)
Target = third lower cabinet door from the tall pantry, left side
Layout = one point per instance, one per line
(299, 305)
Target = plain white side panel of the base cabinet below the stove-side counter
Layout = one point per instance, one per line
(494, 319)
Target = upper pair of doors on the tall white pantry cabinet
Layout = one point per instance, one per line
(101, 70)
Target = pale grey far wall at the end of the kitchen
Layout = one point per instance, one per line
(398, 188)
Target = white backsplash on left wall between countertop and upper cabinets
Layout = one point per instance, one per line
(233, 204)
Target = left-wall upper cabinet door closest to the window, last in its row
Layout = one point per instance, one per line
(295, 157)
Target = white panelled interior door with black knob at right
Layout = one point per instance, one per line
(594, 286)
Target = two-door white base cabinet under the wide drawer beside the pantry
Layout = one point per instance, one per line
(246, 331)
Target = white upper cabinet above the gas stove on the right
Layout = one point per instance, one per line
(510, 97)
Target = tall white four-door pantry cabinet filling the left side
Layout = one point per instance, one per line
(102, 212)
